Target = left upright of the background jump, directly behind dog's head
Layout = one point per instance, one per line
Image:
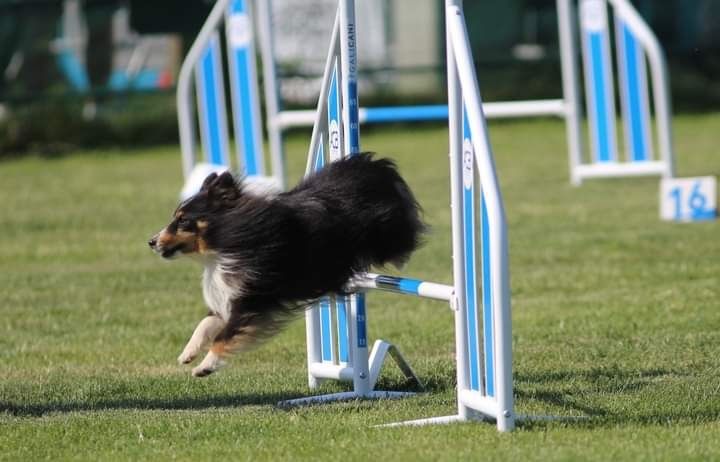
(204, 60)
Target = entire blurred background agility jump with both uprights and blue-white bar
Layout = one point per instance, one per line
(583, 30)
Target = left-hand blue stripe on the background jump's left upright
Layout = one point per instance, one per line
(211, 118)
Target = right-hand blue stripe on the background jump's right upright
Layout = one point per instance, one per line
(635, 90)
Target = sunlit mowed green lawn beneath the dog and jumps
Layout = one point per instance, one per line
(616, 318)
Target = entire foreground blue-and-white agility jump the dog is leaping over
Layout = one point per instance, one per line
(479, 296)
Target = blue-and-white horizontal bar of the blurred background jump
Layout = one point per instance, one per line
(498, 110)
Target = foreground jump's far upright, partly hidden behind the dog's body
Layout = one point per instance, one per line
(337, 347)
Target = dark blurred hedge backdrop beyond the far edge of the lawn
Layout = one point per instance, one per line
(48, 106)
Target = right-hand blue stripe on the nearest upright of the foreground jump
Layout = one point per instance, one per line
(488, 324)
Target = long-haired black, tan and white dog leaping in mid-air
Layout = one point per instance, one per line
(268, 257)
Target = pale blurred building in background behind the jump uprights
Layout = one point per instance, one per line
(392, 35)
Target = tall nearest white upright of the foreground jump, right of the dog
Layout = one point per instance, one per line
(481, 289)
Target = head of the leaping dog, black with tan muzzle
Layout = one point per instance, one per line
(185, 234)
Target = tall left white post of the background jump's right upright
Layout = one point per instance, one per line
(571, 86)
